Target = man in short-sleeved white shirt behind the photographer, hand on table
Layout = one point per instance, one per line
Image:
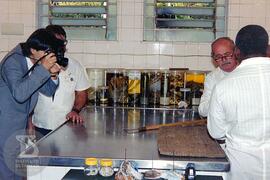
(69, 99)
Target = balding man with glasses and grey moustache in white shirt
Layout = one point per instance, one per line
(223, 57)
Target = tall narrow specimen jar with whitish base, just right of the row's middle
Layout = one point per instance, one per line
(164, 88)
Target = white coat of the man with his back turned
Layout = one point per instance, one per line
(239, 111)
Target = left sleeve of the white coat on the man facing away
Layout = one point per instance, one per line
(216, 123)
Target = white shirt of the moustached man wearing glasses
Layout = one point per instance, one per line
(210, 81)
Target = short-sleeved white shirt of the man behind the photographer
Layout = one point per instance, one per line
(51, 113)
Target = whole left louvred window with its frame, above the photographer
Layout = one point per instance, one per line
(83, 19)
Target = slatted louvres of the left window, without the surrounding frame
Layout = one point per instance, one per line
(86, 13)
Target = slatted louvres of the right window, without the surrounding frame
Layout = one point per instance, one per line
(185, 14)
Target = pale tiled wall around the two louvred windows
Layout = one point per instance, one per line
(18, 21)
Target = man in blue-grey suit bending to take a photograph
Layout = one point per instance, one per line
(24, 73)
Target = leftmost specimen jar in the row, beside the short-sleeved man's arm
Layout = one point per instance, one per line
(96, 78)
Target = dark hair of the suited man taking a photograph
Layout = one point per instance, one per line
(41, 39)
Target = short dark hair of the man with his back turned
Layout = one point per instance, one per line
(252, 40)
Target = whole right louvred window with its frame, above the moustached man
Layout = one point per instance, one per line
(184, 20)
